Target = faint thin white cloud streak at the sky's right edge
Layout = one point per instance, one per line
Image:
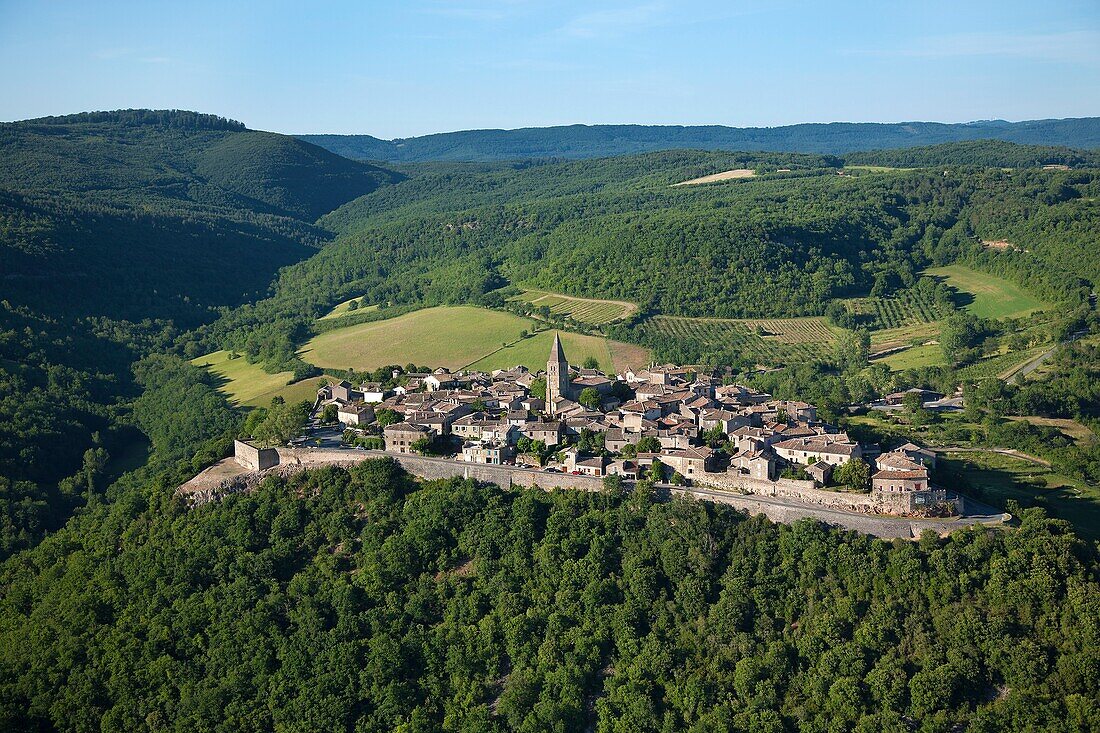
(1070, 47)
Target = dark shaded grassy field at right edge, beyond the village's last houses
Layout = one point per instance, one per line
(995, 478)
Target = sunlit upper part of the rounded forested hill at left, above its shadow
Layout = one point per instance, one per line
(181, 156)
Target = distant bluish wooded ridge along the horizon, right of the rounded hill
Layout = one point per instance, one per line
(581, 141)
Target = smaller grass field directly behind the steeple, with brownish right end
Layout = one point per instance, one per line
(532, 353)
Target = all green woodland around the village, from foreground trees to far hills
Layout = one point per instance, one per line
(133, 243)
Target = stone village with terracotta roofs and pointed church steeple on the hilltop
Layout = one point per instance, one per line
(667, 425)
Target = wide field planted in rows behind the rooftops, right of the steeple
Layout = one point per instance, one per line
(766, 342)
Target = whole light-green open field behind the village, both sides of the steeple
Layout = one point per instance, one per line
(456, 337)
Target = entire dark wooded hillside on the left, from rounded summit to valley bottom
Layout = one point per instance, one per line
(118, 231)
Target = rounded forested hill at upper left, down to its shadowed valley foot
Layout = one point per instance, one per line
(141, 213)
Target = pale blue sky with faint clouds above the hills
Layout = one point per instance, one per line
(411, 68)
